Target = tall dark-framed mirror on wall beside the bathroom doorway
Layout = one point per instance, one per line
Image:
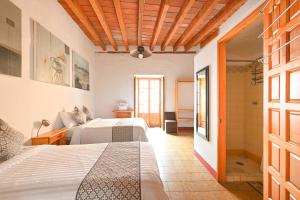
(202, 106)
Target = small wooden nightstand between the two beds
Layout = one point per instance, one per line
(52, 137)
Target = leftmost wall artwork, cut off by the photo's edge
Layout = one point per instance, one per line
(10, 39)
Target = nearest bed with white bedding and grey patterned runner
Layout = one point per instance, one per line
(126, 170)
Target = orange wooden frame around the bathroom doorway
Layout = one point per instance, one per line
(248, 21)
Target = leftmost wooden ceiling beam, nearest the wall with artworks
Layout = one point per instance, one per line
(78, 13)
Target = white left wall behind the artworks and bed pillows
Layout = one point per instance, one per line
(23, 101)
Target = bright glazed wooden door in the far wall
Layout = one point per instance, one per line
(148, 92)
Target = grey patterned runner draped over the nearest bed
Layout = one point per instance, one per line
(115, 175)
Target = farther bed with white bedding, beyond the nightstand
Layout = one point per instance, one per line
(109, 130)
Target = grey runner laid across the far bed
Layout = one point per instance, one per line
(123, 130)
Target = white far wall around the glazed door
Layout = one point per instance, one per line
(115, 77)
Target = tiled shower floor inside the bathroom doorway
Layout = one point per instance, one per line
(240, 168)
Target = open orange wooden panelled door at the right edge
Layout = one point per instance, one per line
(282, 101)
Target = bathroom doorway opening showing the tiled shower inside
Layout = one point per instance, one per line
(244, 106)
